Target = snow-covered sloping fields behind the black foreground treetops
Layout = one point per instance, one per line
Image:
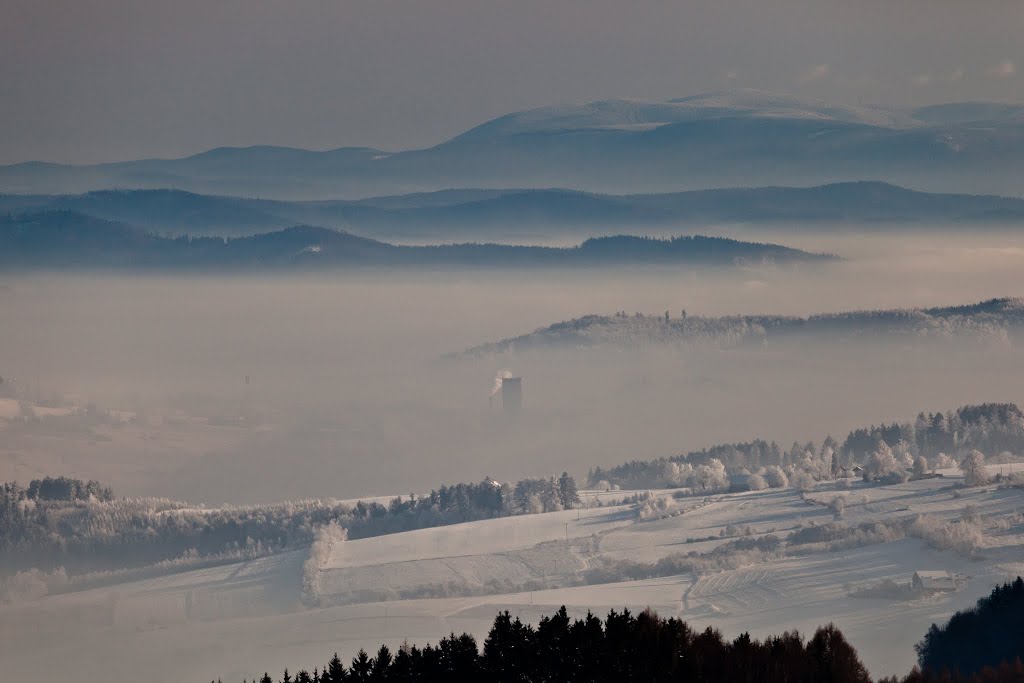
(237, 621)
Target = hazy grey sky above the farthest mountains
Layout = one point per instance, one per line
(101, 80)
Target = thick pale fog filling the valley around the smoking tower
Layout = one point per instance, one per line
(347, 395)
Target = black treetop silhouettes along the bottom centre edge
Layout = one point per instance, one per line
(645, 649)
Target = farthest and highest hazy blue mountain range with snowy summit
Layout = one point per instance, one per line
(732, 139)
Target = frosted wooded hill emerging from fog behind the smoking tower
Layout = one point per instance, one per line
(986, 321)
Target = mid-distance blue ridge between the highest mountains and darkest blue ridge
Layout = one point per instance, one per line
(478, 215)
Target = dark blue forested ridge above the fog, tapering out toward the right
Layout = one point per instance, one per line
(71, 240)
